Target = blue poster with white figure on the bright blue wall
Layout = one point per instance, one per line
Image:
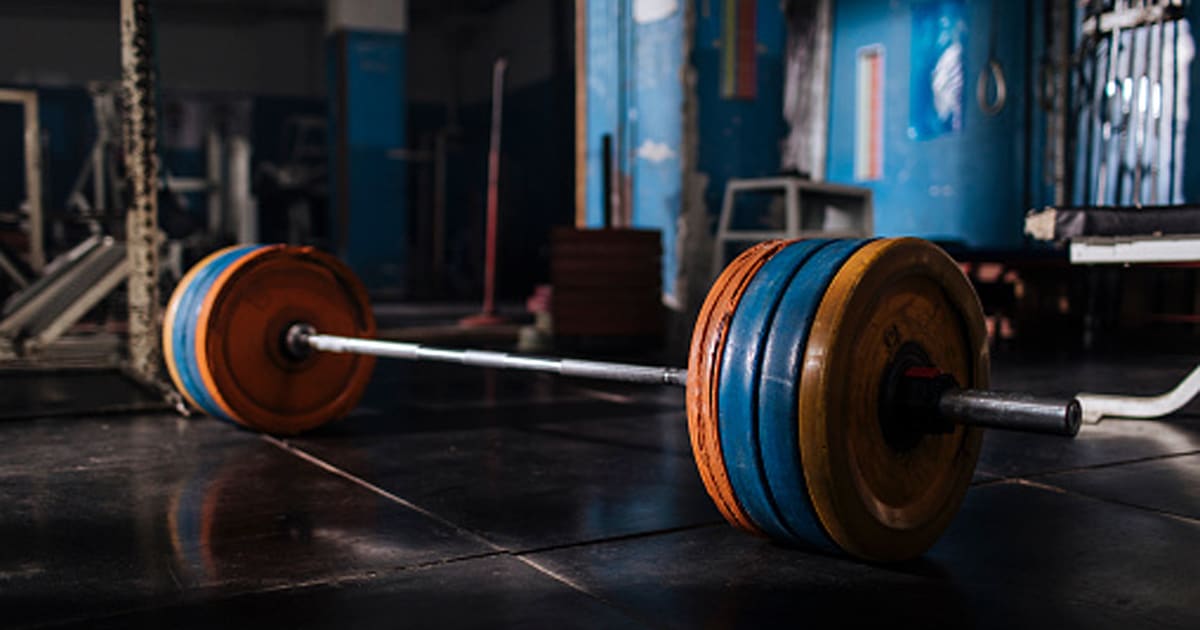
(937, 77)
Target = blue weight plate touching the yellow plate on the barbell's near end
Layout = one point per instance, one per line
(784, 346)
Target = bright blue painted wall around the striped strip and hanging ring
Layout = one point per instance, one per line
(967, 188)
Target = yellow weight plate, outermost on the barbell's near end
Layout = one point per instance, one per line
(878, 502)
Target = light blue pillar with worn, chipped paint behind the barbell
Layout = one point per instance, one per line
(635, 68)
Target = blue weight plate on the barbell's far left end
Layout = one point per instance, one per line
(184, 329)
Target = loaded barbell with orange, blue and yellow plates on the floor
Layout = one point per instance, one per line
(836, 389)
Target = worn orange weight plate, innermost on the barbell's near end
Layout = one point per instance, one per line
(704, 363)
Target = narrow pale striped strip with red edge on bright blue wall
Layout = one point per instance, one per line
(869, 115)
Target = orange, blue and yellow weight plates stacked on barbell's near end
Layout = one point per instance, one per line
(787, 373)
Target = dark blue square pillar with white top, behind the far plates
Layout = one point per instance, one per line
(368, 58)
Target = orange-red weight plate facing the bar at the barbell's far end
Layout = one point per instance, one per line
(241, 333)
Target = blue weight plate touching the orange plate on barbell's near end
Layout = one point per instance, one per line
(737, 399)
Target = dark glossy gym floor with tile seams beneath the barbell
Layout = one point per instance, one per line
(466, 499)
